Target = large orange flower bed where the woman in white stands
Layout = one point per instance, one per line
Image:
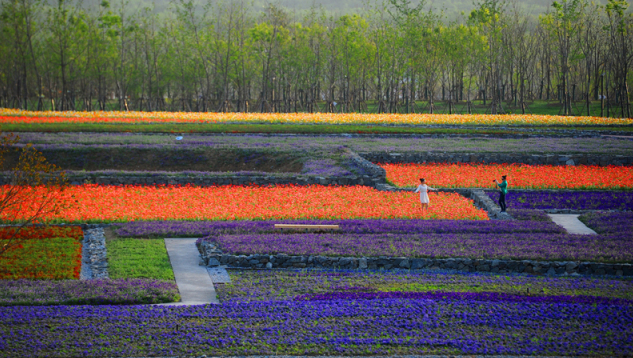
(97, 203)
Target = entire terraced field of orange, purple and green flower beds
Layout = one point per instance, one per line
(46, 311)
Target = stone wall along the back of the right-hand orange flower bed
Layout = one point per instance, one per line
(552, 159)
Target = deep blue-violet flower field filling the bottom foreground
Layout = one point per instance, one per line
(389, 326)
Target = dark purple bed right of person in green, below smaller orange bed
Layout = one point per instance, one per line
(574, 200)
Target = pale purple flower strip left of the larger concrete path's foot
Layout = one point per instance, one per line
(91, 292)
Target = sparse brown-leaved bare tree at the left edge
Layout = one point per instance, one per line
(32, 192)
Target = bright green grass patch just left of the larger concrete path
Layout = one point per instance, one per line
(138, 258)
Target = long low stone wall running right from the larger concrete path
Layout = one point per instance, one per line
(211, 256)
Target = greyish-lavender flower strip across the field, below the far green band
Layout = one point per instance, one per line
(308, 144)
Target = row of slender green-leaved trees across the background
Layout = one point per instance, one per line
(391, 57)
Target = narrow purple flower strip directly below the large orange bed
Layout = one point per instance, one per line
(415, 226)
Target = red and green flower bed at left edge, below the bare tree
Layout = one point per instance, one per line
(41, 253)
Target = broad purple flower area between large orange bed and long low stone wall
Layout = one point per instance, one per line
(531, 239)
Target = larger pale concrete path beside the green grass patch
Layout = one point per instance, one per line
(194, 282)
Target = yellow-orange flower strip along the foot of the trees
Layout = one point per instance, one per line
(33, 117)
